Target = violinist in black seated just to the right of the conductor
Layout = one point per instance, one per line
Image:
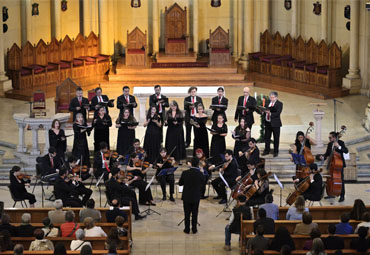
(229, 170)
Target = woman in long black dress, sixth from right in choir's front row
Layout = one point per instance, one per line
(126, 132)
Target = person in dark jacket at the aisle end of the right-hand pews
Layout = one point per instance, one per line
(234, 226)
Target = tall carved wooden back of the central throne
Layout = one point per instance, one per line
(175, 18)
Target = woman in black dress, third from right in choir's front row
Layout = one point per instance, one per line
(200, 131)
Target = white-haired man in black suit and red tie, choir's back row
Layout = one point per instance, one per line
(249, 103)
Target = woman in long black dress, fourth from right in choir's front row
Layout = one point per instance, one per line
(175, 132)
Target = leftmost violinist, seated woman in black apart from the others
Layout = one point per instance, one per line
(18, 186)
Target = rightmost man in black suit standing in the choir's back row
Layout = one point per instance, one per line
(272, 123)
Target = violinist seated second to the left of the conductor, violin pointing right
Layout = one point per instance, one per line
(137, 171)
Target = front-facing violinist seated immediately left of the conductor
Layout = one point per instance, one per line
(165, 162)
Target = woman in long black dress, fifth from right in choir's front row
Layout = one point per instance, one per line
(152, 139)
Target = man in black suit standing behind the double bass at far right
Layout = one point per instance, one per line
(340, 147)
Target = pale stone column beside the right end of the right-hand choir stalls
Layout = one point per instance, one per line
(352, 80)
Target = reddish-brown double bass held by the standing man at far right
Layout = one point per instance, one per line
(335, 167)
